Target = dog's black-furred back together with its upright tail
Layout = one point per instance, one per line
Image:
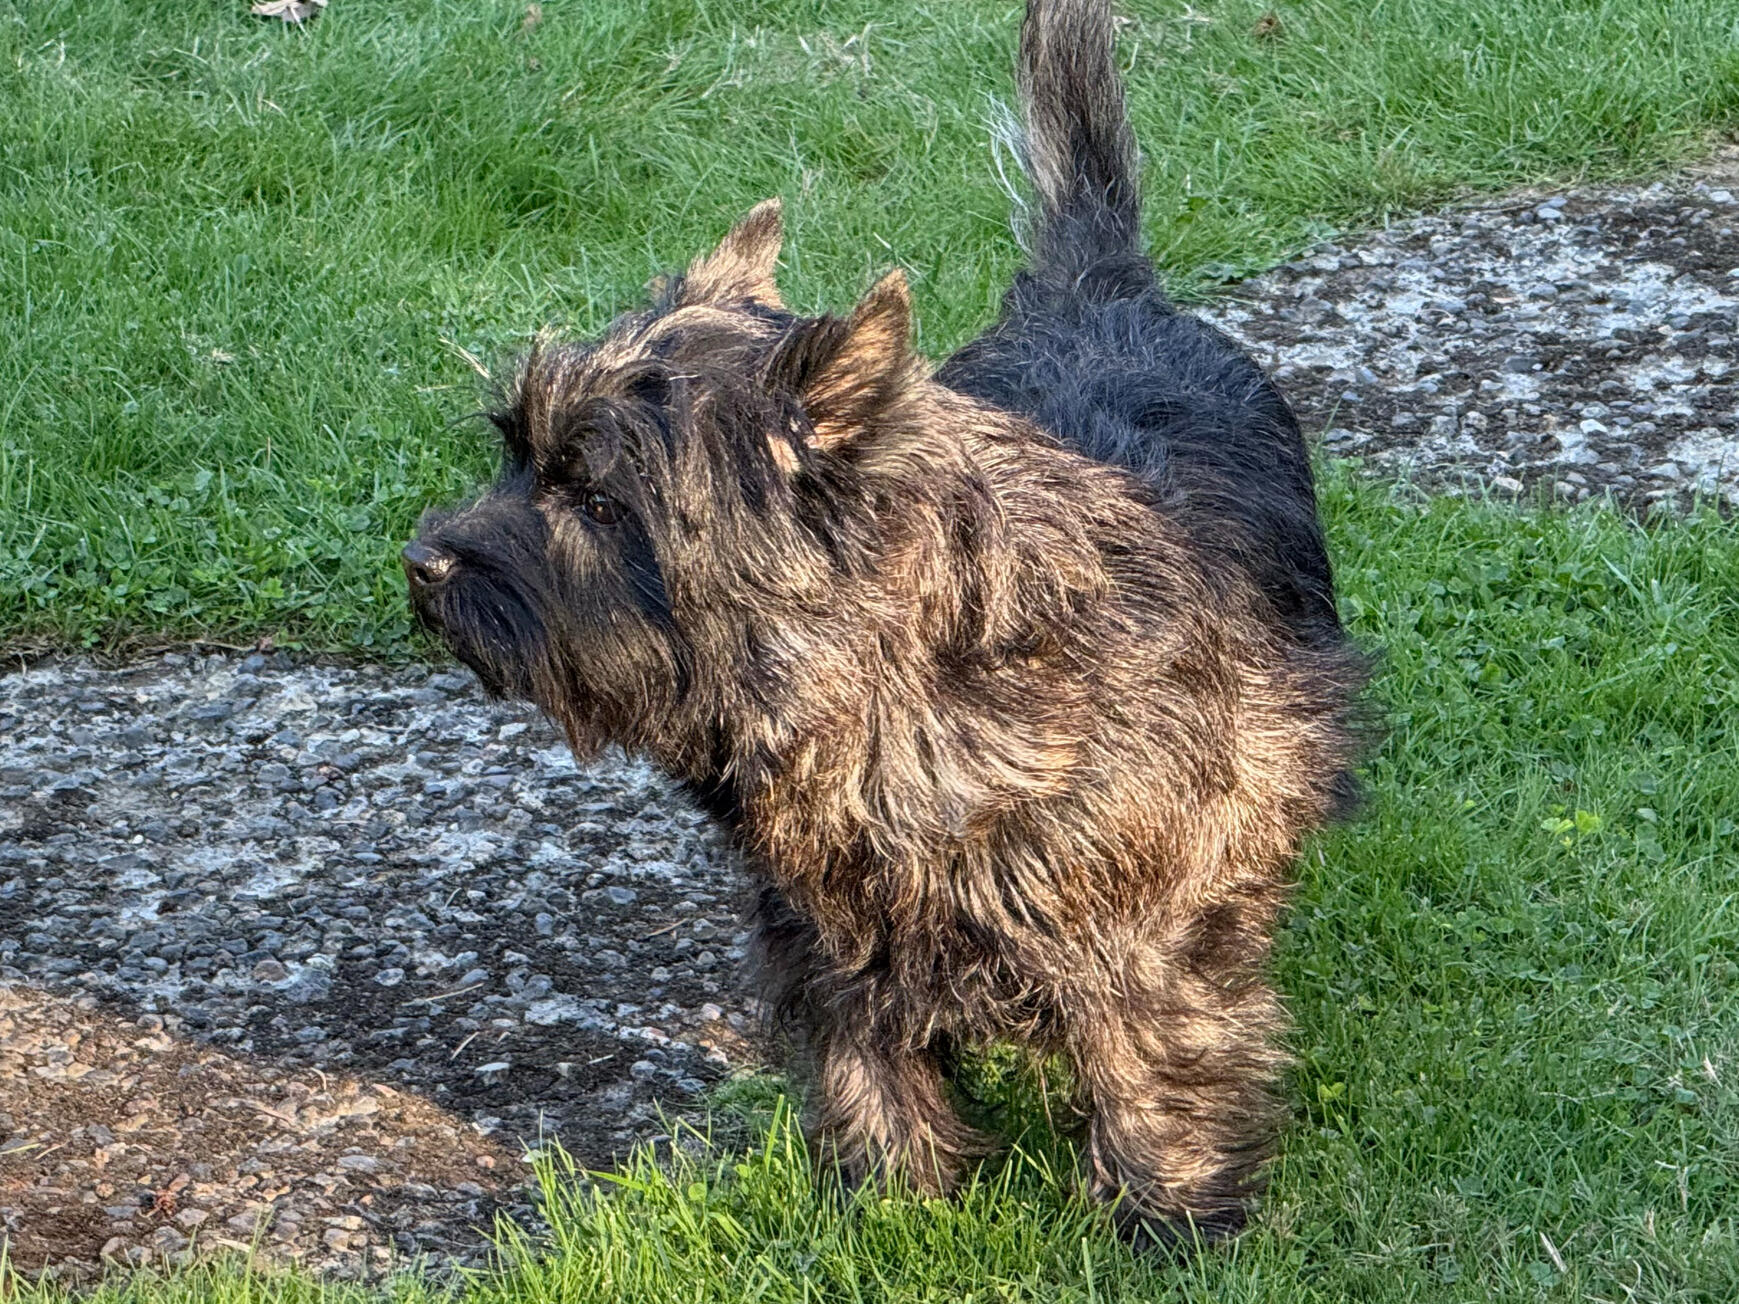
(1091, 349)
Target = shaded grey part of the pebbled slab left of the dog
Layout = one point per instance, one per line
(375, 872)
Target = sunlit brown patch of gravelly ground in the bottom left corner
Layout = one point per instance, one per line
(121, 1141)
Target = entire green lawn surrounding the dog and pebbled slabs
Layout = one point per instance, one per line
(243, 267)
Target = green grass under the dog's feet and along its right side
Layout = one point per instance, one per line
(1514, 985)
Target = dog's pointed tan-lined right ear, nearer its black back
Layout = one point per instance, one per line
(848, 371)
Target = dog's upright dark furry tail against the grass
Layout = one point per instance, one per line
(1081, 152)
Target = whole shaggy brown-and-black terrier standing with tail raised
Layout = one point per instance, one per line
(1018, 684)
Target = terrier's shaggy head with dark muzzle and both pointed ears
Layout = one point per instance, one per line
(660, 493)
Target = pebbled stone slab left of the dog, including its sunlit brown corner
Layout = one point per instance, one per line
(326, 872)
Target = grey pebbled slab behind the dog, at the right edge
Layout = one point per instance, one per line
(1575, 345)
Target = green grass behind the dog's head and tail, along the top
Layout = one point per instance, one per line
(237, 260)
